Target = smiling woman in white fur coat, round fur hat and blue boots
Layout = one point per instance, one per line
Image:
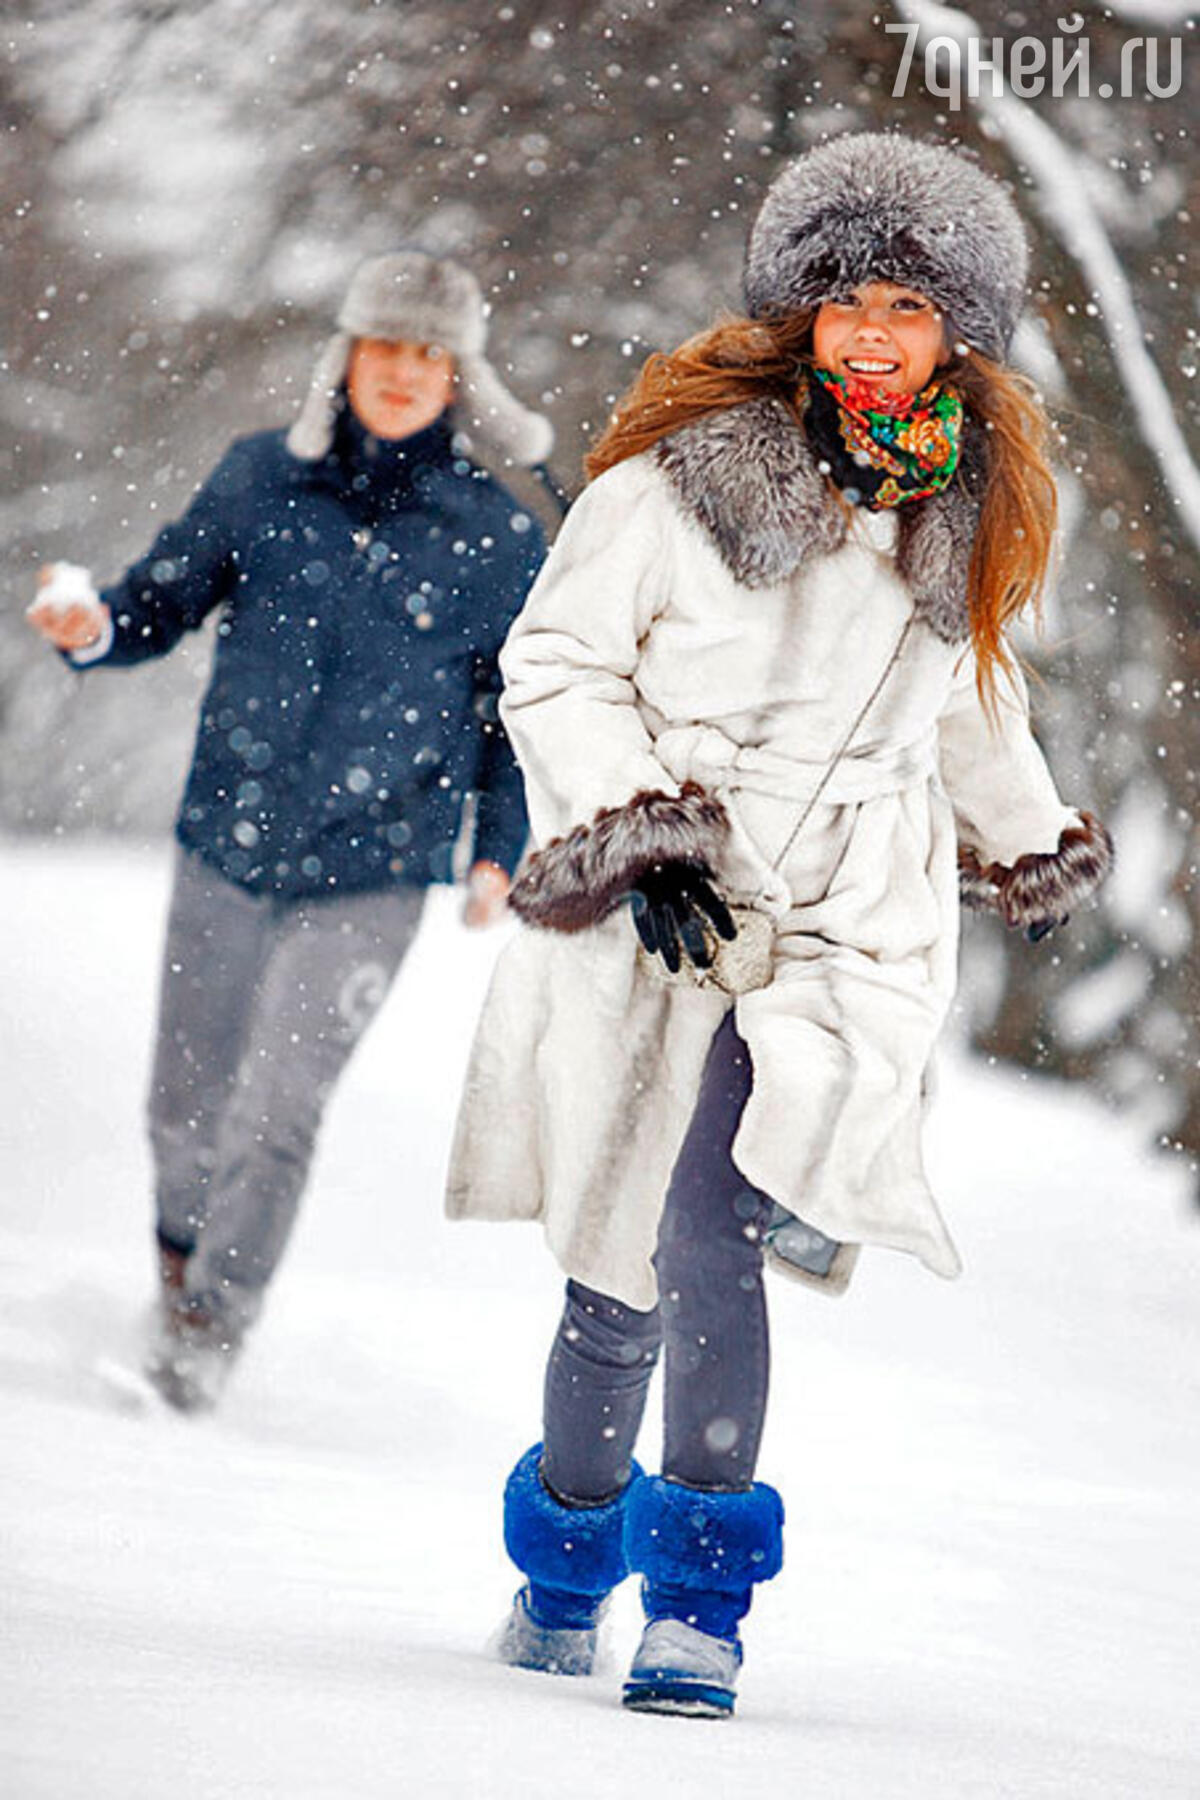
(760, 688)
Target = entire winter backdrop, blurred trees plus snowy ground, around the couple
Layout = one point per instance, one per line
(992, 1502)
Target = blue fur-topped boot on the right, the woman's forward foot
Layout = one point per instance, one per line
(701, 1556)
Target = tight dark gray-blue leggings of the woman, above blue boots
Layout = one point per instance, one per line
(710, 1322)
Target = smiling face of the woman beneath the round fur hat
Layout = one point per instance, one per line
(882, 337)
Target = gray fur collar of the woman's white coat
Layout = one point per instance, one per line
(751, 480)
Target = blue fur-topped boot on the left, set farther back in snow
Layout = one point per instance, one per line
(573, 1558)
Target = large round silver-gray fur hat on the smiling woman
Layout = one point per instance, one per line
(879, 206)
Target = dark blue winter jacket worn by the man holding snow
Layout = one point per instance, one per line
(354, 696)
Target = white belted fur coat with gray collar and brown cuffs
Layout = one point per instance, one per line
(695, 651)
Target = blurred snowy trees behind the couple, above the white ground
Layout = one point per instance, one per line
(186, 188)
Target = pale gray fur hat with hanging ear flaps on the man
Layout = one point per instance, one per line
(431, 301)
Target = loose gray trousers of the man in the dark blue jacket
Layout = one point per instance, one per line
(262, 1007)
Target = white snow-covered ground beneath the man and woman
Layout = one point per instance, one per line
(994, 1542)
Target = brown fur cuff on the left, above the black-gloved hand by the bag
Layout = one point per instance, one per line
(577, 881)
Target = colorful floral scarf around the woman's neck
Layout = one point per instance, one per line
(882, 449)
